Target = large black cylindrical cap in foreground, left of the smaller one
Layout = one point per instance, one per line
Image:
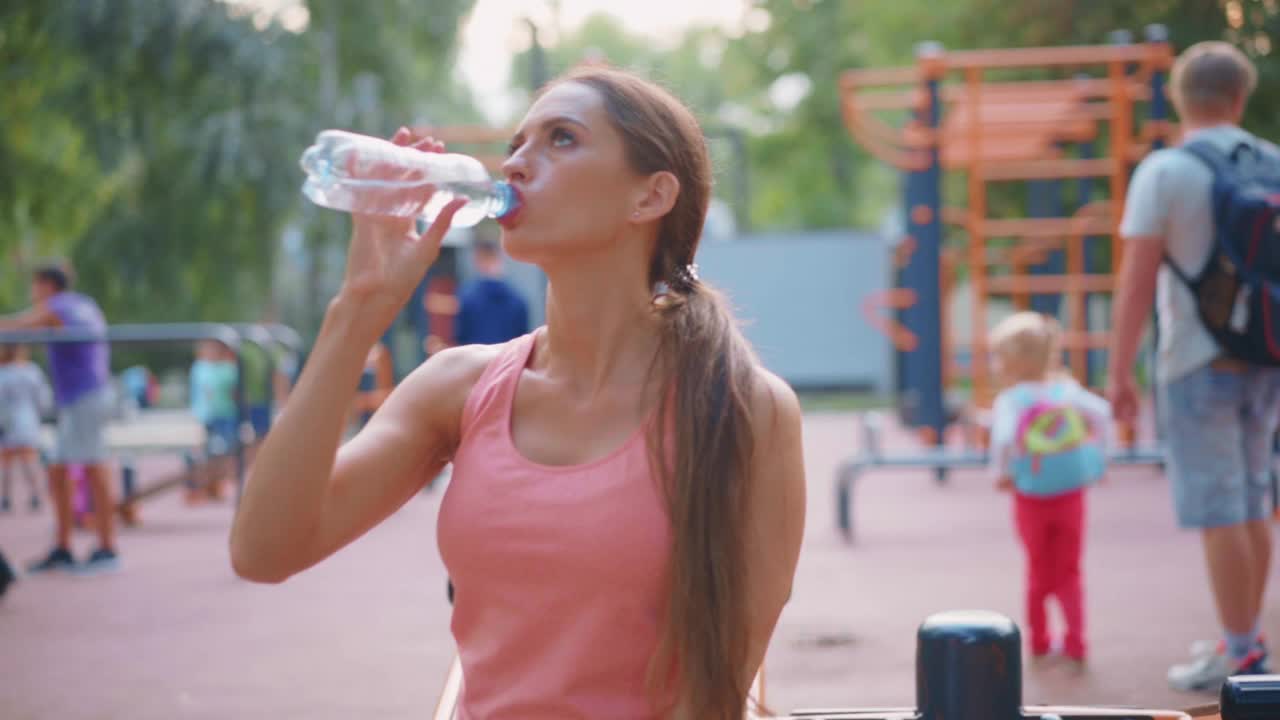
(968, 667)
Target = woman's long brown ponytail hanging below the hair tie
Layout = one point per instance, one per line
(708, 367)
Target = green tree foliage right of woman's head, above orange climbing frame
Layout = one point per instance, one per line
(804, 168)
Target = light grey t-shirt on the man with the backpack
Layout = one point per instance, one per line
(1169, 200)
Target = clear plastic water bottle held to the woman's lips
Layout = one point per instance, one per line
(377, 177)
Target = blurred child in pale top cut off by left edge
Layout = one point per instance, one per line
(25, 394)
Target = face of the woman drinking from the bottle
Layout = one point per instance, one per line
(570, 167)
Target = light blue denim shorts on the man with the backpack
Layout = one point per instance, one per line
(1219, 431)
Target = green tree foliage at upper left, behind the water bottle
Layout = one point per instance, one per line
(156, 143)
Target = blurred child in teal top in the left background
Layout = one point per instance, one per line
(213, 402)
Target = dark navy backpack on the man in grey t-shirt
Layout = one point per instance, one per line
(1238, 293)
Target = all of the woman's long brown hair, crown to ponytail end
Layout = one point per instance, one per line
(708, 367)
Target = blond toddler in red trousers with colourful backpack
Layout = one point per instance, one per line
(1049, 444)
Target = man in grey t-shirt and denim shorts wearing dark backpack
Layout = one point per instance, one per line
(1201, 236)
